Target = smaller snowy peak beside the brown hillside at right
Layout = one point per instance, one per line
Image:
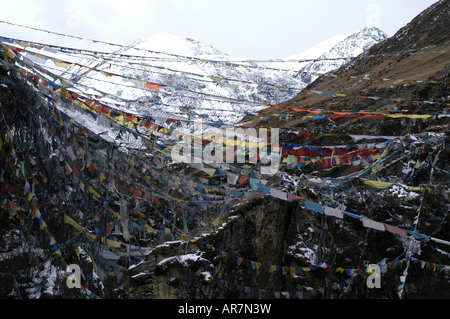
(341, 46)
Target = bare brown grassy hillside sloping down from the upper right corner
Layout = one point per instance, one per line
(401, 78)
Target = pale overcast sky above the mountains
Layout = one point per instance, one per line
(249, 29)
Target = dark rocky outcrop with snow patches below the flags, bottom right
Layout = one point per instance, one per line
(281, 236)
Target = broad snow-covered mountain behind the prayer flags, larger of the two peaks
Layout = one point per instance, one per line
(192, 74)
